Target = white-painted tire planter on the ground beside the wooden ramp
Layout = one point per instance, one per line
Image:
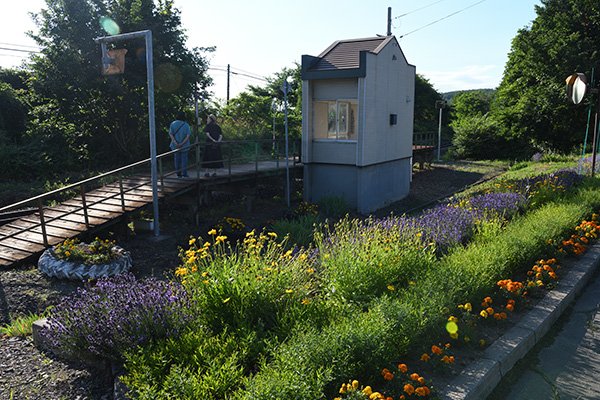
(63, 269)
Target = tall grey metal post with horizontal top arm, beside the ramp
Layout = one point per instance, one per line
(147, 35)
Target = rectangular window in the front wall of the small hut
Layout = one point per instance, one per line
(334, 120)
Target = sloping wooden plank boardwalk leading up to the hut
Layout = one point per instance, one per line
(28, 236)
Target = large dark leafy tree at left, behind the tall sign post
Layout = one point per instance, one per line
(103, 120)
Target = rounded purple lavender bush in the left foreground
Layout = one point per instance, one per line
(118, 314)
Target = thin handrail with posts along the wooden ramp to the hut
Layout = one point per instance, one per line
(86, 203)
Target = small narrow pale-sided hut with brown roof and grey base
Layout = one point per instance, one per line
(357, 123)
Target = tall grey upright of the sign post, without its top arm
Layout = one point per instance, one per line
(152, 124)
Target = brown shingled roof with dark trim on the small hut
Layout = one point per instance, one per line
(345, 54)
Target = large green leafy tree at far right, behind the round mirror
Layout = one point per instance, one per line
(531, 106)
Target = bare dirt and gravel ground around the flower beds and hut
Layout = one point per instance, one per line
(26, 373)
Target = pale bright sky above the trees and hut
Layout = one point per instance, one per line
(455, 44)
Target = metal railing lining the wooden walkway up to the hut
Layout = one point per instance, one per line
(235, 152)
